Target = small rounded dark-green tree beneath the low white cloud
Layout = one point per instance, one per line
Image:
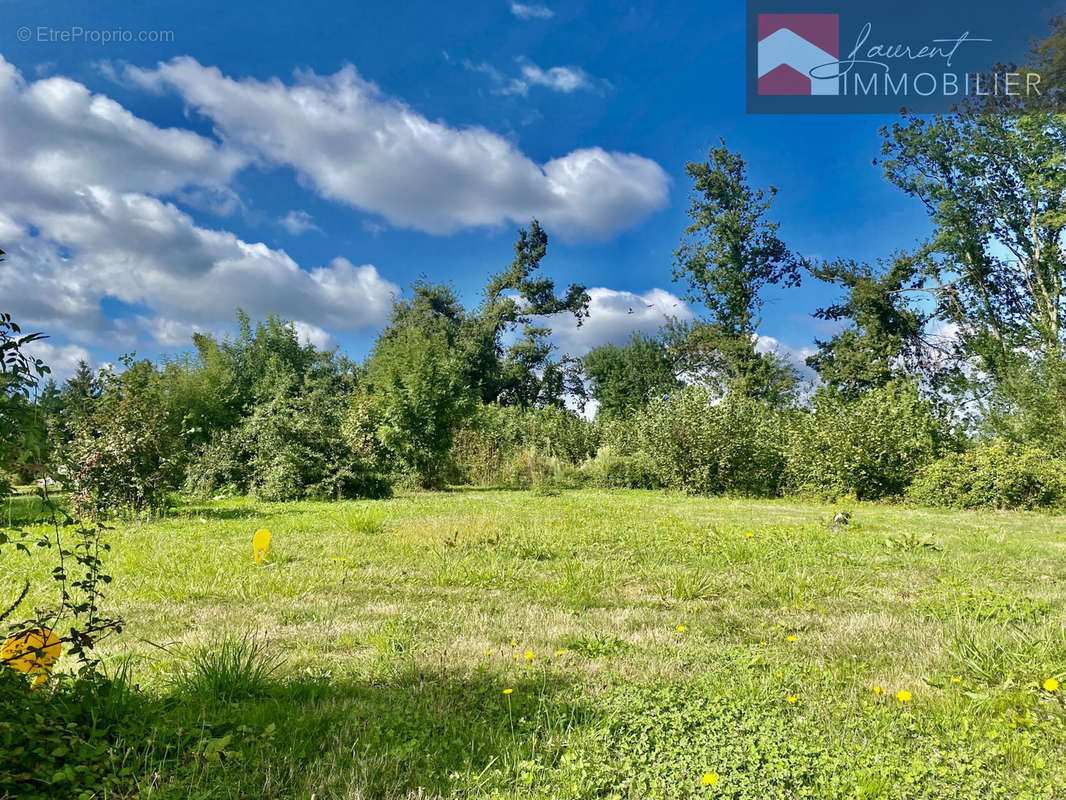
(626, 379)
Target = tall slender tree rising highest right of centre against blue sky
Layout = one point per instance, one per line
(730, 253)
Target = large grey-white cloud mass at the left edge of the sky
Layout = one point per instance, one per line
(82, 225)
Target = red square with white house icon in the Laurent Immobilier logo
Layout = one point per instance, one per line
(790, 46)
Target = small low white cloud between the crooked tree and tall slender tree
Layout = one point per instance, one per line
(615, 316)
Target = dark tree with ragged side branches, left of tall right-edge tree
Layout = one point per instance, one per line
(884, 341)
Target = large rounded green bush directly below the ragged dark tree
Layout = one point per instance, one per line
(868, 446)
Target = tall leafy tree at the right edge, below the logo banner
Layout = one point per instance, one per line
(995, 188)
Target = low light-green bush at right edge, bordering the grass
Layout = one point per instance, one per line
(997, 475)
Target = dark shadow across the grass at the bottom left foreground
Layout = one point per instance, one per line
(414, 733)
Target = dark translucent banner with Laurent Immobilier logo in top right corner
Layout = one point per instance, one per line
(881, 58)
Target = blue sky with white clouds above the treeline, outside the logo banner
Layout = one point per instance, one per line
(314, 159)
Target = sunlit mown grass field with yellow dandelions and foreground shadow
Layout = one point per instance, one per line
(629, 645)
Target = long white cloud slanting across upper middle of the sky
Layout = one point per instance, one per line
(356, 146)
